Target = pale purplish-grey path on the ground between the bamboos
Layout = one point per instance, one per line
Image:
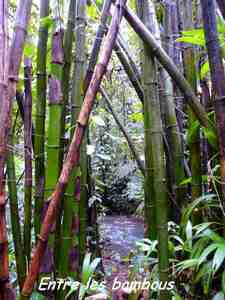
(118, 235)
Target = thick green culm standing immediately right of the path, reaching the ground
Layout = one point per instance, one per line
(155, 150)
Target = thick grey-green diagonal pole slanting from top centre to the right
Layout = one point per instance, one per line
(168, 64)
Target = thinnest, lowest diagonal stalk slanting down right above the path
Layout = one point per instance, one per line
(123, 130)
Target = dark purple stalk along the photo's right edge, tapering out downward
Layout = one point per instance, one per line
(218, 80)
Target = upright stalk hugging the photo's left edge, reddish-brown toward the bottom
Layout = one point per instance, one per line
(4, 131)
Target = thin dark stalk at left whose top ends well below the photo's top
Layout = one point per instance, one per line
(27, 157)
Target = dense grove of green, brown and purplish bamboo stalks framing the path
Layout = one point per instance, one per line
(183, 116)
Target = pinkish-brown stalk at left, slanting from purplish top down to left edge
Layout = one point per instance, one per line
(7, 93)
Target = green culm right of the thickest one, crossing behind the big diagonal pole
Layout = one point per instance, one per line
(175, 156)
